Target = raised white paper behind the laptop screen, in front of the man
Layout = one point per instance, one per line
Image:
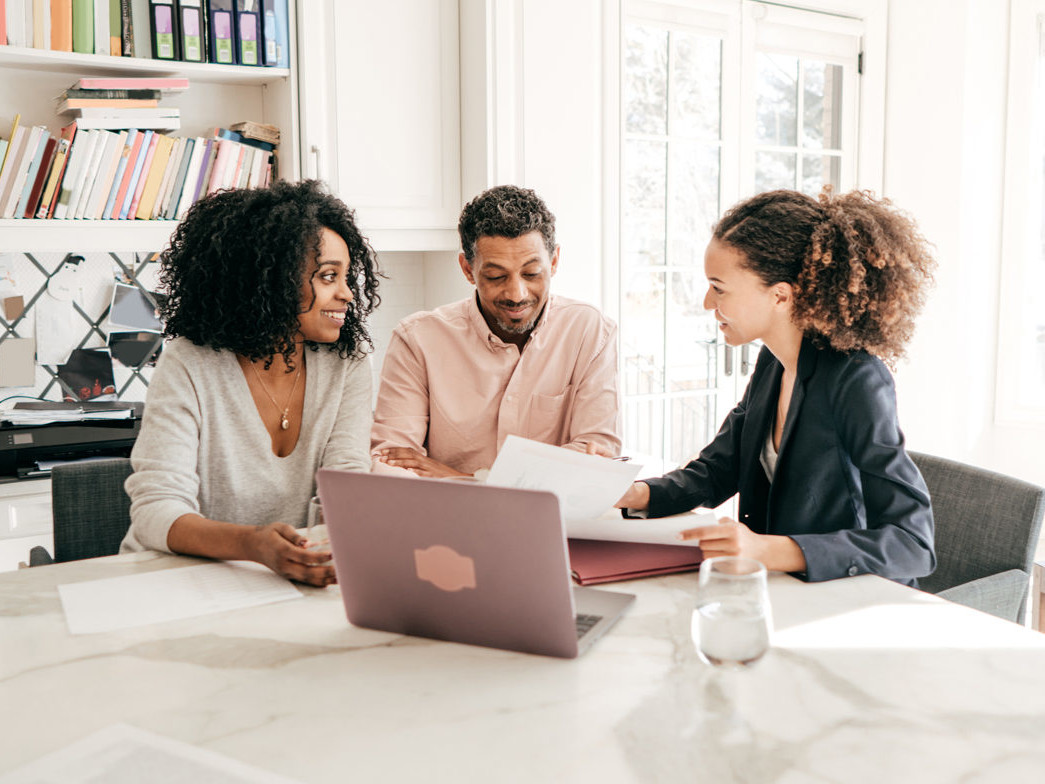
(588, 486)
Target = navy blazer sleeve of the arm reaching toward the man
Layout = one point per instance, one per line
(713, 477)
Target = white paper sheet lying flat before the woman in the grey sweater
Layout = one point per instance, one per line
(173, 594)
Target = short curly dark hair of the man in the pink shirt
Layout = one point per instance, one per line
(505, 212)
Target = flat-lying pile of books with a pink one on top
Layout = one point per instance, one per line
(123, 103)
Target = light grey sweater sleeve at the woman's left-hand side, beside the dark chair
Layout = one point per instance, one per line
(166, 482)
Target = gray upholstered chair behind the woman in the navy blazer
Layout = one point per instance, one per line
(987, 531)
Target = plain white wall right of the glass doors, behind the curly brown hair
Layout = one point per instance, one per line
(944, 163)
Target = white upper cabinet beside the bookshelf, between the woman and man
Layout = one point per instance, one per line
(381, 116)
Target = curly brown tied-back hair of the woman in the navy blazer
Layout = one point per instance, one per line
(860, 268)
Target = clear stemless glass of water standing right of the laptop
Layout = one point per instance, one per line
(732, 620)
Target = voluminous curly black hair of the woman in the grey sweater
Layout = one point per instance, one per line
(236, 265)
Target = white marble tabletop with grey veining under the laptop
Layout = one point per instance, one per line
(869, 681)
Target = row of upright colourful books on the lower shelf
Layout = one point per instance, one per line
(102, 174)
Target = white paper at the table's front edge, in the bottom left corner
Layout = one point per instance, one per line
(127, 755)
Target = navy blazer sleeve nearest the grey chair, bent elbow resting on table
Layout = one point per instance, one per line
(898, 540)
